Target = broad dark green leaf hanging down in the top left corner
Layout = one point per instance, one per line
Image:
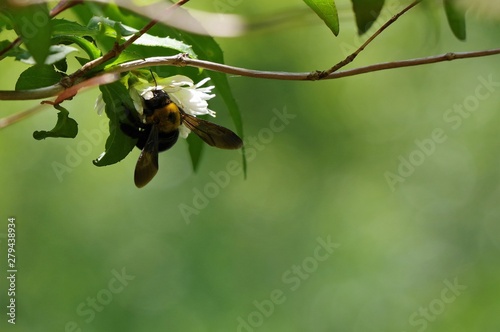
(32, 23)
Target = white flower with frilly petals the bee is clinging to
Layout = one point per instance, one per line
(192, 98)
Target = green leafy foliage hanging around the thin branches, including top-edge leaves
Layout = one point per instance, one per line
(46, 42)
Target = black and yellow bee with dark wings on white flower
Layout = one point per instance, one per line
(158, 131)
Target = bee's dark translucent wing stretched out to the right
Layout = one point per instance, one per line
(211, 133)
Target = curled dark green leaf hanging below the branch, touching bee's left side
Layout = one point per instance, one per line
(118, 145)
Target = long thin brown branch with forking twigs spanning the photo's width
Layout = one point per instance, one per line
(182, 60)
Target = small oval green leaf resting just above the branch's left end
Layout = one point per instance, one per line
(37, 76)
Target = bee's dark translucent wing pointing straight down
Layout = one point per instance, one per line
(147, 164)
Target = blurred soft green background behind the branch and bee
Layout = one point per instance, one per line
(420, 254)
